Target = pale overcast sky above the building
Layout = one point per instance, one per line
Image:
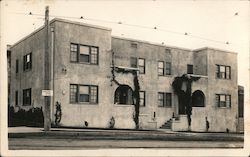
(212, 23)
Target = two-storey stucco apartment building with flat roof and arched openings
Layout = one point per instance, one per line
(93, 78)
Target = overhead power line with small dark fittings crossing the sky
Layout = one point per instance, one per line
(133, 25)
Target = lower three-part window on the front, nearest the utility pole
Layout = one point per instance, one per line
(83, 93)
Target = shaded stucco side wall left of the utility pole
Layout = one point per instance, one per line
(32, 78)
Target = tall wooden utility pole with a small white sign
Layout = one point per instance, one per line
(47, 98)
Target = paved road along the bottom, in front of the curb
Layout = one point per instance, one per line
(52, 143)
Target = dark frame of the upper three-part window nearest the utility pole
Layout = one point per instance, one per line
(91, 54)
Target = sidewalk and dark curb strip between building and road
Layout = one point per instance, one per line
(100, 134)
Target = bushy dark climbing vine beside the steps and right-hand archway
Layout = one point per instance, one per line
(185, 96)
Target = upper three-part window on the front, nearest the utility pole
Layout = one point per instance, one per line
(84, 53)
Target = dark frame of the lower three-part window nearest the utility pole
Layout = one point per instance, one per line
(77, 99)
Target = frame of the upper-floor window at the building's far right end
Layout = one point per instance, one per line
(227, 74)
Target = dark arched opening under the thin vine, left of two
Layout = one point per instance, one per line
(124, 95)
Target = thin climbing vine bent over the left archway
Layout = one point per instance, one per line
(136, 92)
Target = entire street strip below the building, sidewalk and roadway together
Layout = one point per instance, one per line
(27, 138)
